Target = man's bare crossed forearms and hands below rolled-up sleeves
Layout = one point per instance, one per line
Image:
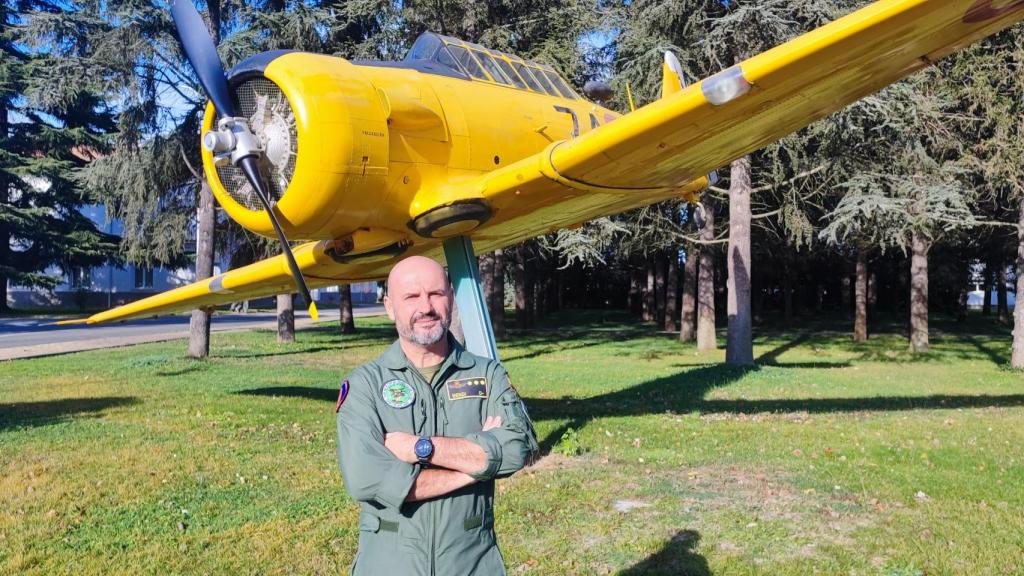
(454, 461)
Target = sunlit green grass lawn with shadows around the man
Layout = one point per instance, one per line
(830, 459)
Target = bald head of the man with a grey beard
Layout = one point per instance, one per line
(419, 301)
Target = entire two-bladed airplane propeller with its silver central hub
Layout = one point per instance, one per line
(233, 141)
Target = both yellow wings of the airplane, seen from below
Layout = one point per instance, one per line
(661, 151)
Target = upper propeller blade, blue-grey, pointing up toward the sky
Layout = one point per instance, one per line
(203, 55)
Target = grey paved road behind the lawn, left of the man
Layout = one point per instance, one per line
(27, 338)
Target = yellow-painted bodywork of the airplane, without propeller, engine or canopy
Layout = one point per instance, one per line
(379, 146)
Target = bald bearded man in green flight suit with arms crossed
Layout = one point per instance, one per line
(423, 432)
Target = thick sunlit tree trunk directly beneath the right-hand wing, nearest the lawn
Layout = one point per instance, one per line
(740, 339)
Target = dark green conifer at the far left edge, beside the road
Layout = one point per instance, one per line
(44, 143)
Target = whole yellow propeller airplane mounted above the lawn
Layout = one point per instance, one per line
(374, 161)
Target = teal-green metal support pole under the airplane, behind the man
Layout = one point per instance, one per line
(470, 297)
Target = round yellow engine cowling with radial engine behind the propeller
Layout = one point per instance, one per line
(325, 140)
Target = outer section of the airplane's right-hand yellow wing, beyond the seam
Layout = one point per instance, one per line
(678, 139)
